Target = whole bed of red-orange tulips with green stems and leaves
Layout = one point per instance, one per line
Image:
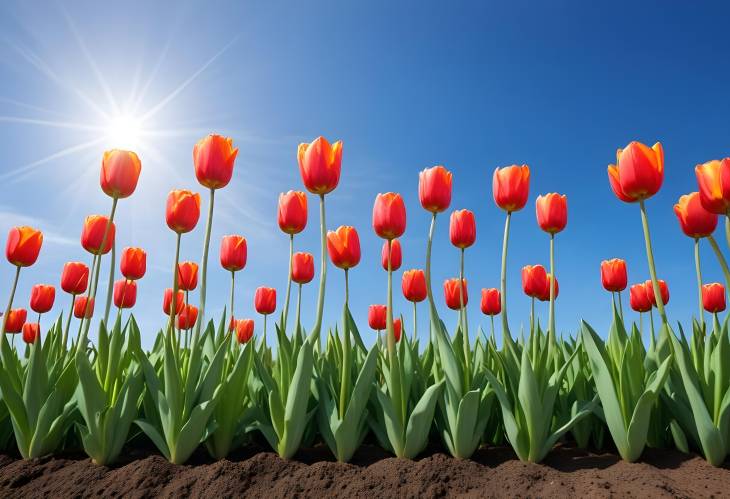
(216, 384)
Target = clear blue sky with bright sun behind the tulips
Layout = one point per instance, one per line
(406, 85)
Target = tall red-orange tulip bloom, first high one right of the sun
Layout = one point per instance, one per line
(214, 157)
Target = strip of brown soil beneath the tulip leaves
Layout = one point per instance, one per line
(492, 472)
